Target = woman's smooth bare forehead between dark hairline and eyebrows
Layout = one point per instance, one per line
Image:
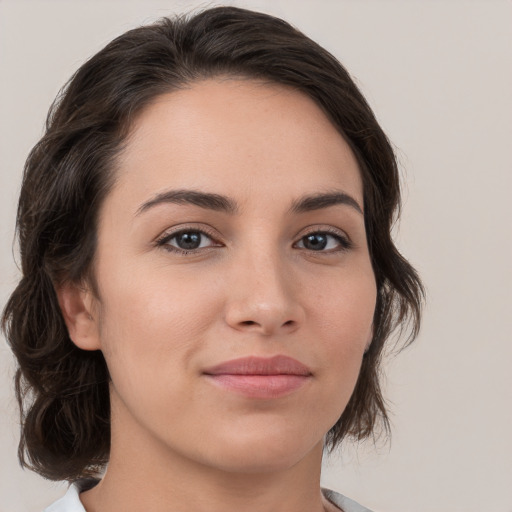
(236, 137)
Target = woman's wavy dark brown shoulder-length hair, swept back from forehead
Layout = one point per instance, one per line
(63, 391)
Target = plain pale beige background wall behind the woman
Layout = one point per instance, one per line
(438, 75)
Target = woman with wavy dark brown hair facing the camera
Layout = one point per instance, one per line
(208, 273)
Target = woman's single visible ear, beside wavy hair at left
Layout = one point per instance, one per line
(77, 304)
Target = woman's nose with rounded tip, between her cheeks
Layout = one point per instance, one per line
(263, 297)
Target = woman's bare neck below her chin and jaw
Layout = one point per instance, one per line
(144, 474)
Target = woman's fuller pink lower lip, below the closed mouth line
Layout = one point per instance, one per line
(260, 386)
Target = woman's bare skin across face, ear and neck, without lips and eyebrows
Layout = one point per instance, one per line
(253, 288)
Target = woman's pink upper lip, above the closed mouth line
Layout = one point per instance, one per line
(277, 365)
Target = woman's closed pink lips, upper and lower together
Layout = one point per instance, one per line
(260, 377)
